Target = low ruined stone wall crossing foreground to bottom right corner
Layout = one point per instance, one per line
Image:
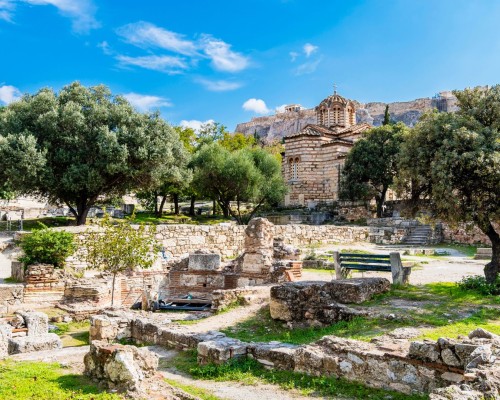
(376, 365)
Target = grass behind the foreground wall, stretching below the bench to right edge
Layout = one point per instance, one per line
(436, 306)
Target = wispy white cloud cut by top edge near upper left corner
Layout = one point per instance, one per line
(80, 11)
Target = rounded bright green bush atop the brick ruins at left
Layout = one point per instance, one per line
(47, 246)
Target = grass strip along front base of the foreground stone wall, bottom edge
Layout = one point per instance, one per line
(250, 372)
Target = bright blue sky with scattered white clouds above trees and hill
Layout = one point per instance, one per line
(229, 61)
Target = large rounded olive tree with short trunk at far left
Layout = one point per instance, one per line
(82, 143)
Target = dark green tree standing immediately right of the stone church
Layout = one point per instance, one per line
(371, 165)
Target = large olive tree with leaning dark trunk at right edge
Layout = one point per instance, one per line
(453, 160)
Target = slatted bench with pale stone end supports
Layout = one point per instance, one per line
(346, 262)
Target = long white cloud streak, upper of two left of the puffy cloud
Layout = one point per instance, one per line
(144, 34)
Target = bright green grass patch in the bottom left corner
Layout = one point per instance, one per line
(36, 380)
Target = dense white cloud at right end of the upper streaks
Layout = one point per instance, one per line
(223, 58)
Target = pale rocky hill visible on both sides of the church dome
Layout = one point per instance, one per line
(282, 124)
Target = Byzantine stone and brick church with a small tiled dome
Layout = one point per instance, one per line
(314, 156)
